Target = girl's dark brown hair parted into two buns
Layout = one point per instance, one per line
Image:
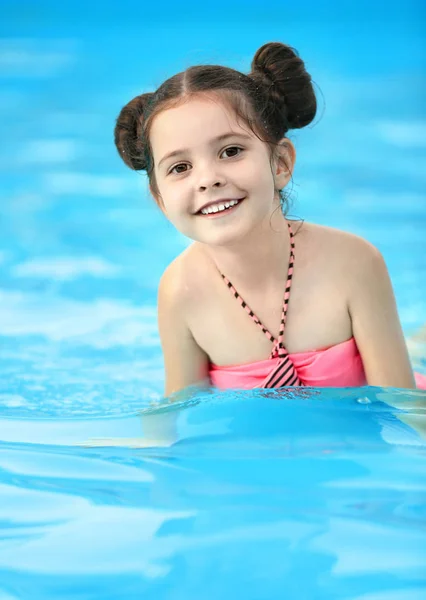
(276, 96)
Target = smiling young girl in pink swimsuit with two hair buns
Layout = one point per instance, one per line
(257, 300)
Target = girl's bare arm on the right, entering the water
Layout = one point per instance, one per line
(375, 322)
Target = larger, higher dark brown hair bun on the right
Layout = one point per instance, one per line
(282, 73)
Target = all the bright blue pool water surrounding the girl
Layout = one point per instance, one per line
(107, 492)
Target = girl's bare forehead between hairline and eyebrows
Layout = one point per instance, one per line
(192, 123)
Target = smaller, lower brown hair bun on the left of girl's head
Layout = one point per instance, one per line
(128, 132)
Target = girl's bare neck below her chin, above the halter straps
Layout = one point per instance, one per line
(260, 260)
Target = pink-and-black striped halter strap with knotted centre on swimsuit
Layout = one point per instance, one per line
(284, 373)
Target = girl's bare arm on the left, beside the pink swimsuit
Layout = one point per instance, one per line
(184, 361)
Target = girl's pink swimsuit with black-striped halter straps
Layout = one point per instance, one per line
(336, 366)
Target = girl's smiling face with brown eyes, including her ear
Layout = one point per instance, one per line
(215, 178)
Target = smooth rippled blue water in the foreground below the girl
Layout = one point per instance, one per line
(257, 488)
